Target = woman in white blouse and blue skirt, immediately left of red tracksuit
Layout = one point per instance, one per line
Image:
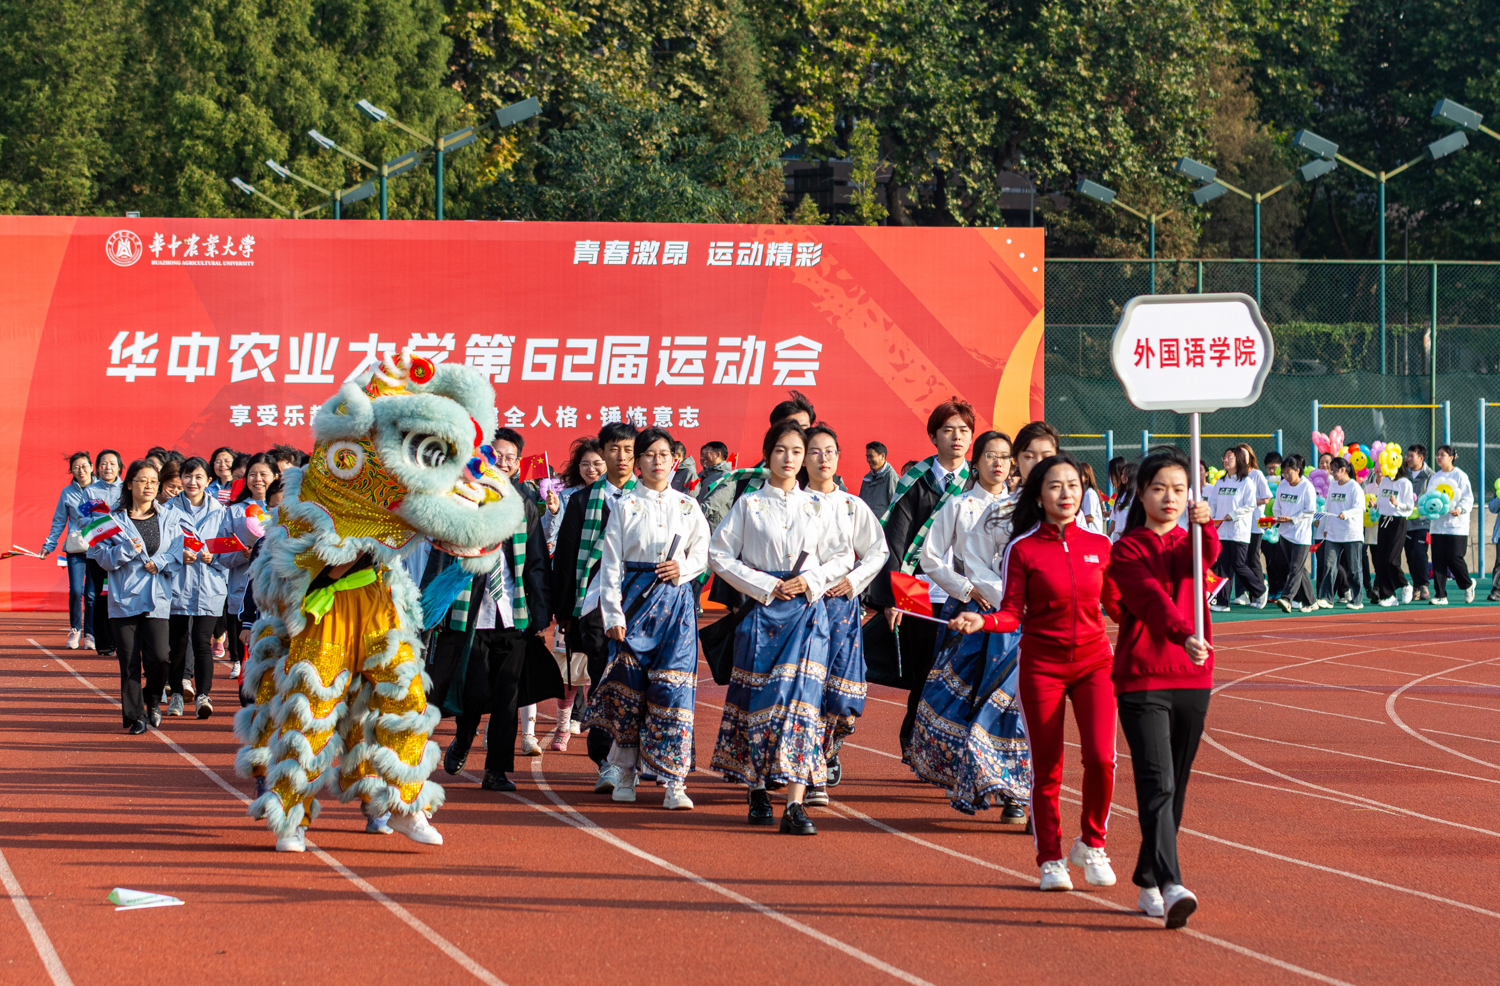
(968, 736)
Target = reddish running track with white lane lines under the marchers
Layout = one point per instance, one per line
(1343, 828)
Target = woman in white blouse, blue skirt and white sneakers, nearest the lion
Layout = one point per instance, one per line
(655, 547)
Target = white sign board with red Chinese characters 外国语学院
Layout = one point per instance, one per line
(1192, 352)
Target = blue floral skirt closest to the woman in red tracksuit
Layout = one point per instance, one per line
(986, 753)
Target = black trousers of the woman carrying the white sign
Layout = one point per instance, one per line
(1163, 730)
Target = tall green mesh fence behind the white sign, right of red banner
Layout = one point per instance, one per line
(1334, 347)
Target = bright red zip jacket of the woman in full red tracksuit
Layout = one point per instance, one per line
(1055, 582)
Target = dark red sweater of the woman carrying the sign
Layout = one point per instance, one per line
(1151, 600)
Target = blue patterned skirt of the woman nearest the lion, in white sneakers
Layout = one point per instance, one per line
(650, 685)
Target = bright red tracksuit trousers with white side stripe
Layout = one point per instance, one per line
(1045, 687)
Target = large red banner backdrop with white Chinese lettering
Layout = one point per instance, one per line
(196, 334)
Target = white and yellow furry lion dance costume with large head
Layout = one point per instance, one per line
(335, 664)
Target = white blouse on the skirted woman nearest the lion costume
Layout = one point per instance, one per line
(641, 529)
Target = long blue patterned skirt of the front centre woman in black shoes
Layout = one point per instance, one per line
(773, 730)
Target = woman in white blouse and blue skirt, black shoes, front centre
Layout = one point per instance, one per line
(772, 549)
